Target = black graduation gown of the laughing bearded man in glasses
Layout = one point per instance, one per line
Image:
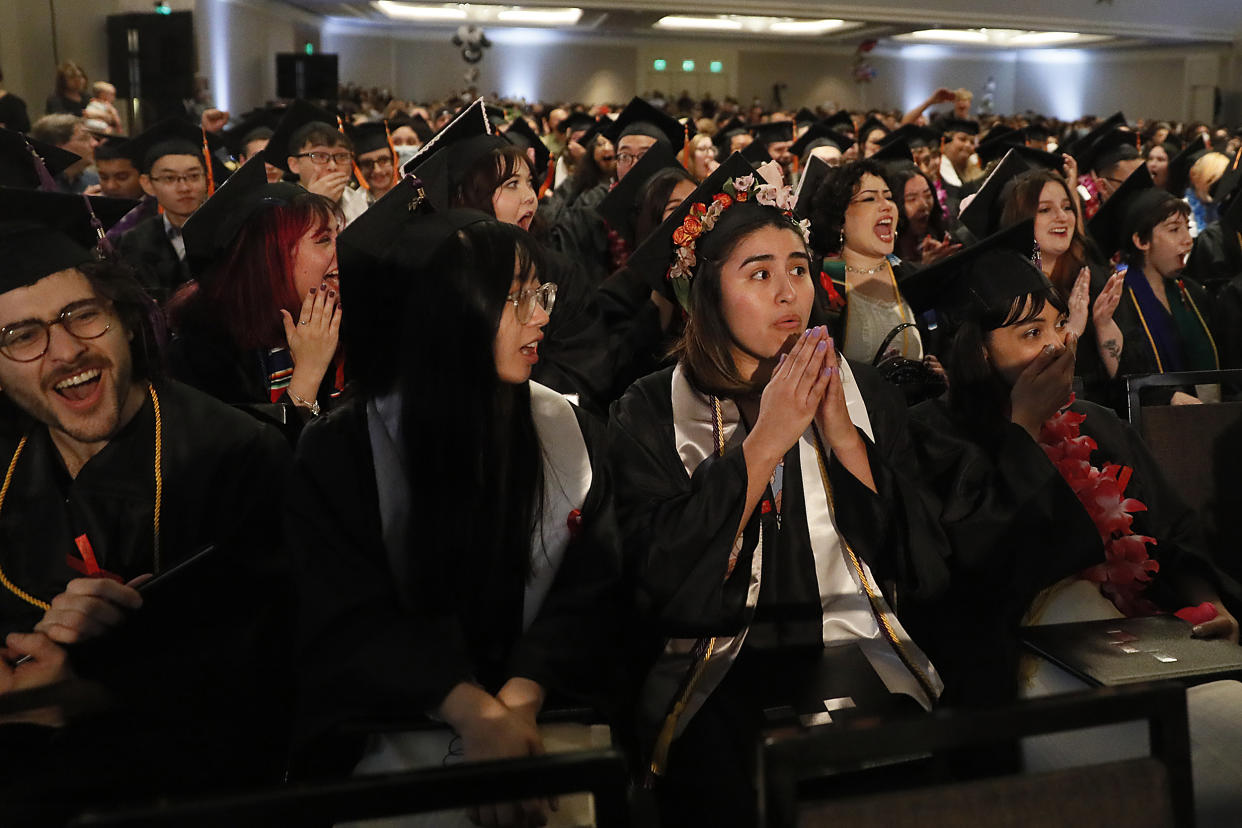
(198, 673)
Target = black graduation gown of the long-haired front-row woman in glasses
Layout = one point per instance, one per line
(366, 657)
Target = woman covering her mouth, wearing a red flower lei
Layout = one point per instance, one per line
(1054, 508)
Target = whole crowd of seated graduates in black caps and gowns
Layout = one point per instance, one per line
(337, 420)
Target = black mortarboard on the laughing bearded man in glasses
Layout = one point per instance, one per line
(47, 233)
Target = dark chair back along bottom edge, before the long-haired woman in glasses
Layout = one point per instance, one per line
(603, 774)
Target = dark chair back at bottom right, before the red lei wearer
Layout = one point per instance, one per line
(1149, 791)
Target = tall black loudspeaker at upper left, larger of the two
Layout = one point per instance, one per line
(152, 60)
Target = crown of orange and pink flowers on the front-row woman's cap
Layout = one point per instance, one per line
(704, 218)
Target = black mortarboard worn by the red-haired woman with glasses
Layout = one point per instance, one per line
(212, 229)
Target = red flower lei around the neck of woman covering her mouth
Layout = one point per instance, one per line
(1127, 569)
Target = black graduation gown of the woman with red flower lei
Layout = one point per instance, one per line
(1015, 528)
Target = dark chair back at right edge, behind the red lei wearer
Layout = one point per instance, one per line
(1199, 450)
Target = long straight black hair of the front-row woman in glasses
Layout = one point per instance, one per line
(473, 455)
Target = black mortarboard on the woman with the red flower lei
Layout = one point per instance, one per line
(987, 276)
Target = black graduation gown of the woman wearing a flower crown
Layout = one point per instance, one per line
(680, 533)
